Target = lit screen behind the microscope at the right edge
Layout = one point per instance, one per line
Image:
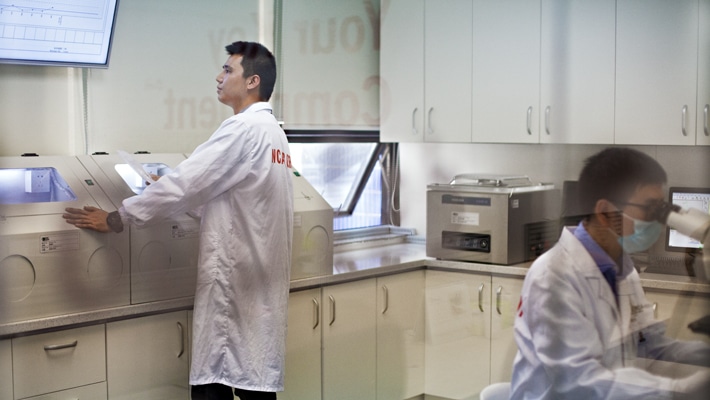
(686, 197)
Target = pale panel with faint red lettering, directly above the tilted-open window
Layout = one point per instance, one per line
(330, 64)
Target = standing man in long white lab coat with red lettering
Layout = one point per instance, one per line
(240, 180)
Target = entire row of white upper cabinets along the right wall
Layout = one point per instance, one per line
(550, 71)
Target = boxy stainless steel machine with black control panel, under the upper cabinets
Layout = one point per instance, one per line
(491, 219)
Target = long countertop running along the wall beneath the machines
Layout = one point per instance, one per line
(349, 264)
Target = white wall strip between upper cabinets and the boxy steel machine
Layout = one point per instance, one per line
(425, 163)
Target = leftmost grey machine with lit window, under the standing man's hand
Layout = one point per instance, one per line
(48, 267)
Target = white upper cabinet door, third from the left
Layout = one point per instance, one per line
(506, 71)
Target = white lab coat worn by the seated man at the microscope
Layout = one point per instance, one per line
(575, 342)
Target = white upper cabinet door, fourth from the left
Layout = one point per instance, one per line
(577, 80)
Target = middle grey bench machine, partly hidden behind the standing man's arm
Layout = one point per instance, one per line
(164, 255)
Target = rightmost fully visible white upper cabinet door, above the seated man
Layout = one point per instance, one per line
(656, 71)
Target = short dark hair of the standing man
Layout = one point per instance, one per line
(256, 60)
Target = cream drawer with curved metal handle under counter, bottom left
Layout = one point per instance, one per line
(61, 360)
